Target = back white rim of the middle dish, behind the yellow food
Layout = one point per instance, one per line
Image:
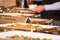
(44, 26)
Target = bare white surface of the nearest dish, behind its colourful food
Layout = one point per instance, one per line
(29, 34)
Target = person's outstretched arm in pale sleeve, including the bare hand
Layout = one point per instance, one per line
(54, 6)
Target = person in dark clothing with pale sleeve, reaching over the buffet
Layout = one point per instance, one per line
(50, 11)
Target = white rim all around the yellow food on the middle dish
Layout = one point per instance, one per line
(7, 26)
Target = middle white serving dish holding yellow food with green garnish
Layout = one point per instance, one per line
(26, 26)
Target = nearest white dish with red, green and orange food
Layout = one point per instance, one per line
(24, 35)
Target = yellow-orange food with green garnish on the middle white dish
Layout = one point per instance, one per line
(28, 26)
